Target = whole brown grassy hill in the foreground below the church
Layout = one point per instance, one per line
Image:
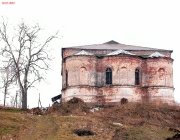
(68, 121)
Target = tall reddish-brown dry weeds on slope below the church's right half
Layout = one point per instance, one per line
(139, 114)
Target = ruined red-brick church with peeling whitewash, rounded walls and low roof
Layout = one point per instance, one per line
(104, 74)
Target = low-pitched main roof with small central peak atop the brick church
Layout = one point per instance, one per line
(113, 45)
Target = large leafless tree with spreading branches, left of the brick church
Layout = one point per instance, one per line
(26, 56)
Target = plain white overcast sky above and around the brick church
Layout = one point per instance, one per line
(150, 23)
